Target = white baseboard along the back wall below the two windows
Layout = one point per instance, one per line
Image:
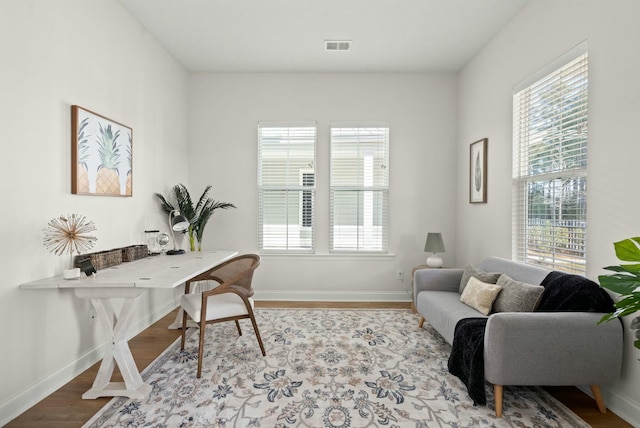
(332, 296)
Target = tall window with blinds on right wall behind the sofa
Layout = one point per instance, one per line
(550, 165)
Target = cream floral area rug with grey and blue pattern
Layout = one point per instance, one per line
(324, 368)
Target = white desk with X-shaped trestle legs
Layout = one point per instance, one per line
(128, 281)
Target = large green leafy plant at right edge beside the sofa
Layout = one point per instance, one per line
(626, 282)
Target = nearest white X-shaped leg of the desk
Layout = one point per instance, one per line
(118, 352)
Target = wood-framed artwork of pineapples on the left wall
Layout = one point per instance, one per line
(101, 149)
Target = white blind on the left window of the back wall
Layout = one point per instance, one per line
(286, 186)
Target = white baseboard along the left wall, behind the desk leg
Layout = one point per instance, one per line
(22, 401)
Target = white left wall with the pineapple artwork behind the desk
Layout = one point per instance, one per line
(55, 54)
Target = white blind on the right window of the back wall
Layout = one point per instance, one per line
(359, 187)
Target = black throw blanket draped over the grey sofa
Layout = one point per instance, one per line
(562, 293)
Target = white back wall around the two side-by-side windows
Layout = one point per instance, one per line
(421, 111)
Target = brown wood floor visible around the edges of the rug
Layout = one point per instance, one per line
(66, 409)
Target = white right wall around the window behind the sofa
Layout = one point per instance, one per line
(541, 32)
